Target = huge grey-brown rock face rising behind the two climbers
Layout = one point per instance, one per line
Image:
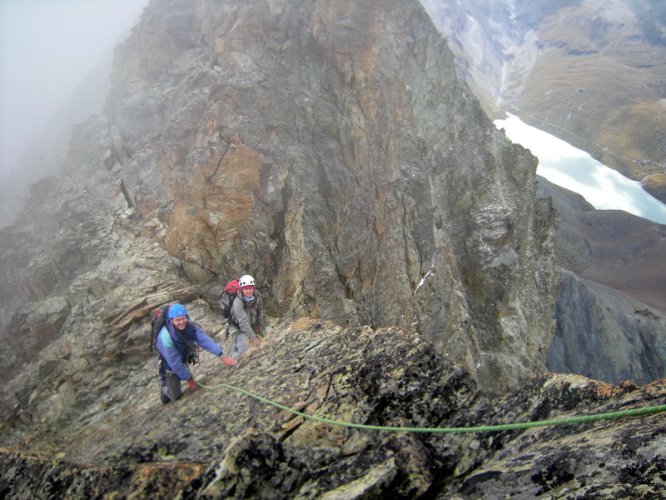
(234, 175)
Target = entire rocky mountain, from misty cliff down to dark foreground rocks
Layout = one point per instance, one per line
(328, 149)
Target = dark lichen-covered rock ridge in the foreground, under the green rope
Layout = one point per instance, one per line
(220, 443)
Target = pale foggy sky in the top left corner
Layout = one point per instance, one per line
(47, 47)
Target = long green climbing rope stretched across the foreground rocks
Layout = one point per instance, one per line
(648, 410)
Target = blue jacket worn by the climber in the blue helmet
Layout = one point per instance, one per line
(173, 348)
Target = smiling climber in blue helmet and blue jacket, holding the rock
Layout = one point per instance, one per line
(177, 343)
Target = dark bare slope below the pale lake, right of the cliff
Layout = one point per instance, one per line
(611, 310)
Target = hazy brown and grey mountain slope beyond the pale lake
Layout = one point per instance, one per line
(591, 72)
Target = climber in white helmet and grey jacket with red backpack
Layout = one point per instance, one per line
(246, 322)
